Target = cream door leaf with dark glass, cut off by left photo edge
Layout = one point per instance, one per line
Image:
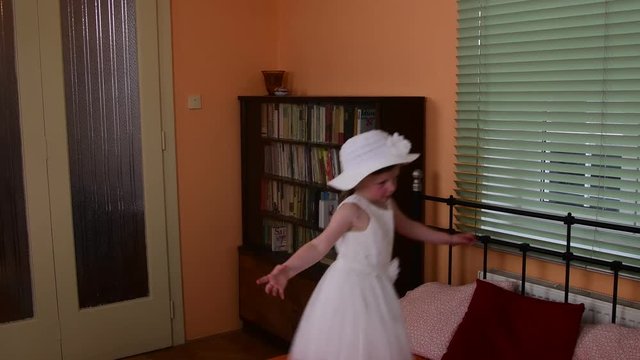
(30, 329)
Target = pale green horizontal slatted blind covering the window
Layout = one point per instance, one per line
(548, 119)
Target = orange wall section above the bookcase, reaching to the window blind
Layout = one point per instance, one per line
(390, 47)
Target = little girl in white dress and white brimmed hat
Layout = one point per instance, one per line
(354, 312)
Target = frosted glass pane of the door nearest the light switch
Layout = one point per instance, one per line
(105, 159)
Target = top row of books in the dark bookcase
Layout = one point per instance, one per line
(321, 123)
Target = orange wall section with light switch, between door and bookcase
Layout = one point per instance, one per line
(219, 48)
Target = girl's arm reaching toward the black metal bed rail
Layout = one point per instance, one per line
(419, 231)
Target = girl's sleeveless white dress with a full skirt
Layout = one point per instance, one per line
(354, 312)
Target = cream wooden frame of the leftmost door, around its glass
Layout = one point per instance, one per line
(17, 338)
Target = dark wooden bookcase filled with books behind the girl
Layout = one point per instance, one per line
(290, 149)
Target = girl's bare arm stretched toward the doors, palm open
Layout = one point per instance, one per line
(311, 252)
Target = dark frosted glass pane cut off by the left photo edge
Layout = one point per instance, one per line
(15, 275)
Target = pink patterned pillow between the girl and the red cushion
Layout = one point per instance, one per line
(432, 313)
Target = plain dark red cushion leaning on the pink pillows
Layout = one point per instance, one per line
(500, 324)
